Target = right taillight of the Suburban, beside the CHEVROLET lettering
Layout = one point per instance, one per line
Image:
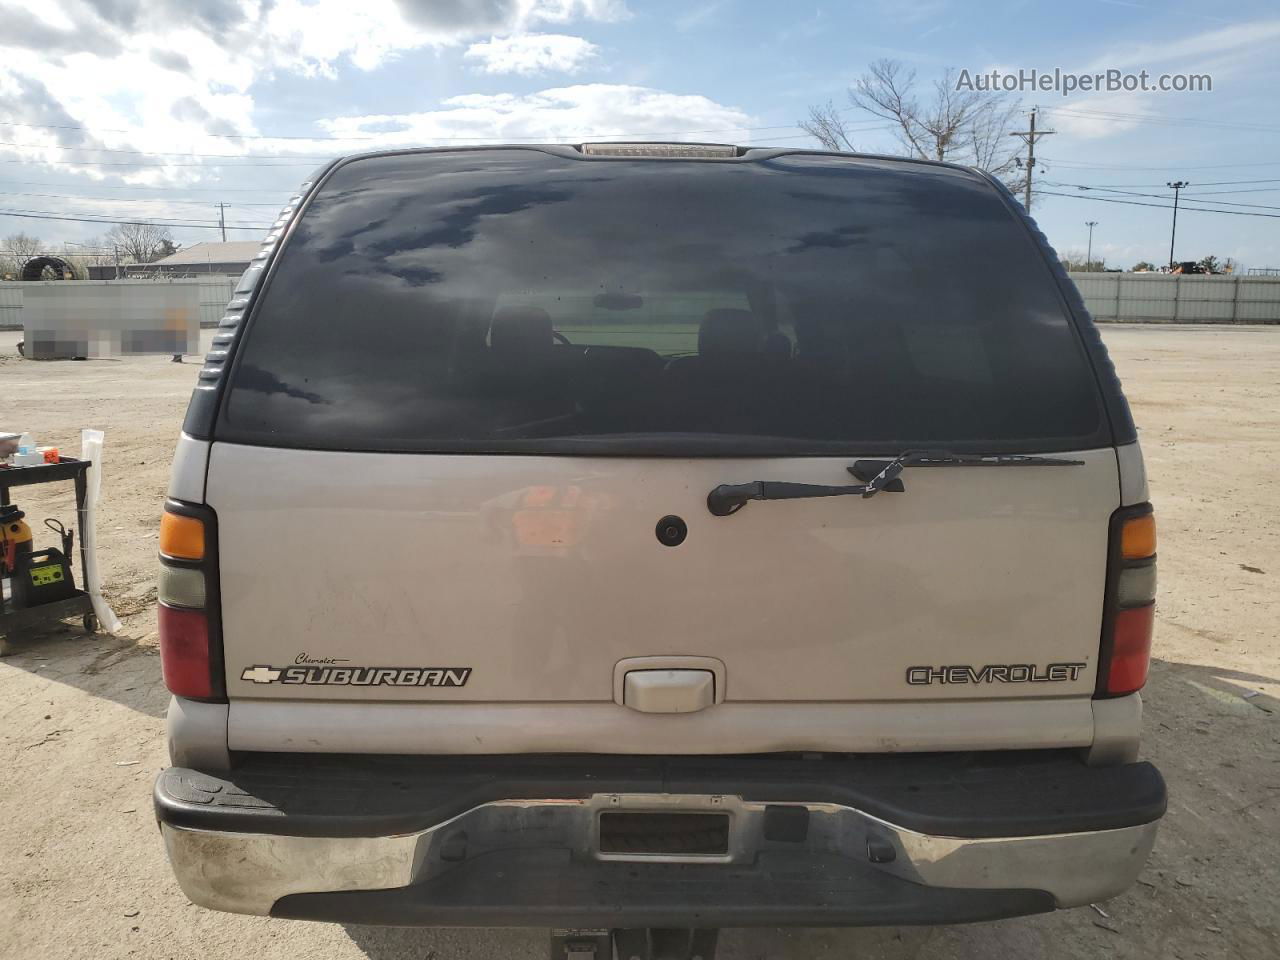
(1128, 616)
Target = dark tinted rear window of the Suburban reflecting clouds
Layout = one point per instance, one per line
(524, 301)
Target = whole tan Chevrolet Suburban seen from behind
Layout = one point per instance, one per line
(656, 538)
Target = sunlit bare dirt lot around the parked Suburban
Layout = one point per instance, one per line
(83, 874)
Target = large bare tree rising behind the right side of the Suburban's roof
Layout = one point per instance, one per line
(966, 127)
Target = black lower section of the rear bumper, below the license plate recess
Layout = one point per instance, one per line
(550, 889)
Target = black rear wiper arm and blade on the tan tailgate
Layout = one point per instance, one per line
(879, 476)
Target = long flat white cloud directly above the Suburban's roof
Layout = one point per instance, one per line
(564, 115)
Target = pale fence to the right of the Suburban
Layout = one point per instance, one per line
(1163, 299)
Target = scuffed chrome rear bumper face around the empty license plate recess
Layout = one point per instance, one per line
(269, 874)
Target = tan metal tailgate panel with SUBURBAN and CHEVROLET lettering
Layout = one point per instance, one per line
(427, 578)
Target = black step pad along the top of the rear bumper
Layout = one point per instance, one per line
(1005, 794)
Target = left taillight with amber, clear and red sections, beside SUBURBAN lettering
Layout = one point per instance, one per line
(191, 650)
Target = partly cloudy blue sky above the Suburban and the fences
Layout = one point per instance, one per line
(162, 109)
